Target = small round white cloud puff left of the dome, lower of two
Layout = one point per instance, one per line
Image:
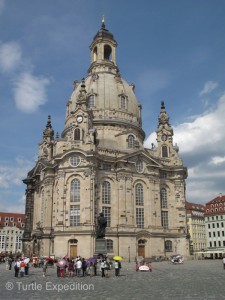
(30, 92)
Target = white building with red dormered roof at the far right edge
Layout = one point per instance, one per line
(215, 224)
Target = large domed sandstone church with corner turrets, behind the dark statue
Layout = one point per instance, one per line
(99, 164)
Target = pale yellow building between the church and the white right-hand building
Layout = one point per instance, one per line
(196, 226)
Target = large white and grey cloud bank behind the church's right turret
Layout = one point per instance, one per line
(202, 148)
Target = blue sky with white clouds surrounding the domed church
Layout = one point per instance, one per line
(173, 50)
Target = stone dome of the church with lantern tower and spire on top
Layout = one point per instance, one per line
(110, 98)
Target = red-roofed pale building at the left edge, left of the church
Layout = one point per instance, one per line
(11, 232)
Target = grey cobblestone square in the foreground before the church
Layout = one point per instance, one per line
(202, 279)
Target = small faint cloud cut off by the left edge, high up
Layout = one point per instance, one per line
(10, 56)
